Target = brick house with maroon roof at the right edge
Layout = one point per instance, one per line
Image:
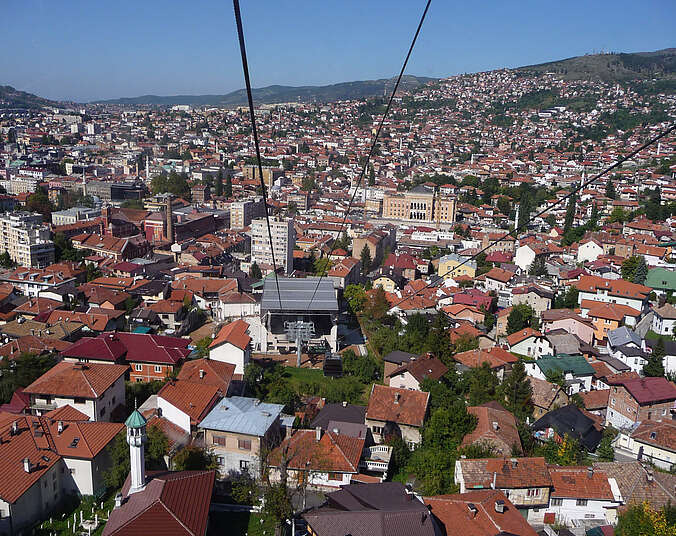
(639, 399)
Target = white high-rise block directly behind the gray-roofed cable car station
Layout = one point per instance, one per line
(283, 240)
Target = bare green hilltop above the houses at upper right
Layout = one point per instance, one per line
(611, 67)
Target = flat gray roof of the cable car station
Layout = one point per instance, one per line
(297, 294)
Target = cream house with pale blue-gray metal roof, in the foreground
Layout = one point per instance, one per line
(239, 429)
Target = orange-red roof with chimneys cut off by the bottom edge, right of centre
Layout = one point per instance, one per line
(478, 513)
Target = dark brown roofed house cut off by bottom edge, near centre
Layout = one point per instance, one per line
(386, 508)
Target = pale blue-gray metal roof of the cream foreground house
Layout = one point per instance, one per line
(242, 415)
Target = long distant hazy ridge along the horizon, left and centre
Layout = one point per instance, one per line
(274, 94)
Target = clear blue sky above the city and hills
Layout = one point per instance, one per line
(72, 49)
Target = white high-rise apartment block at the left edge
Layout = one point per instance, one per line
(27, 241)
